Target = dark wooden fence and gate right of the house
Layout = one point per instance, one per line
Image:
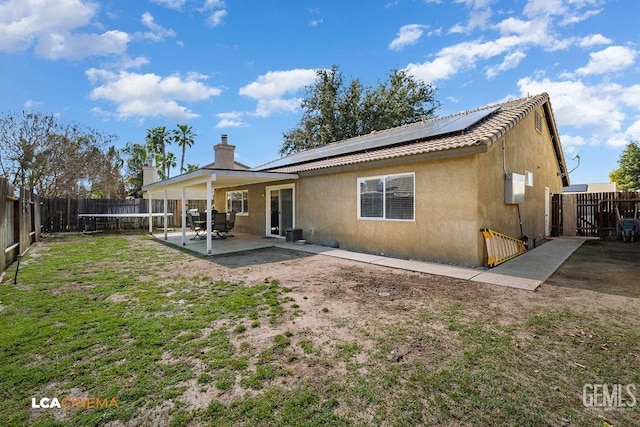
(591, 214)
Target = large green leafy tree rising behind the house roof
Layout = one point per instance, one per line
(333, 111)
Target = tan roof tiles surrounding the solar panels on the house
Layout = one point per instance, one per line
(487, 131)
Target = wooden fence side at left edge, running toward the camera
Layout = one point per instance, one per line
(19, 222)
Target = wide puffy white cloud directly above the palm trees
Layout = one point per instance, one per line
(149, 95)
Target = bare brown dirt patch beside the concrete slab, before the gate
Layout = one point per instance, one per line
(610, 267)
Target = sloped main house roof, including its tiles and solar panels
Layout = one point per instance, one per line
(484, 127)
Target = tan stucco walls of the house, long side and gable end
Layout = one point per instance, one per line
(454, 199)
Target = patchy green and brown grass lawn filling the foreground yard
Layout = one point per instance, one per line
(111, 317)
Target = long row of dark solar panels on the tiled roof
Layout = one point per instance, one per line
(375, 140)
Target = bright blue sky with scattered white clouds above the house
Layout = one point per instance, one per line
(240, 67)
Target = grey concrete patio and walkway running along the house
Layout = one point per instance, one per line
(527, 271)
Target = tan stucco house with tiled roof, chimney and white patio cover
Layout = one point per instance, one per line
(420, 191)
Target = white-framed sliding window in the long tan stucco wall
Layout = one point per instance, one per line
(387, 197)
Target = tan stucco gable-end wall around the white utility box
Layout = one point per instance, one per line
(526, 150)
